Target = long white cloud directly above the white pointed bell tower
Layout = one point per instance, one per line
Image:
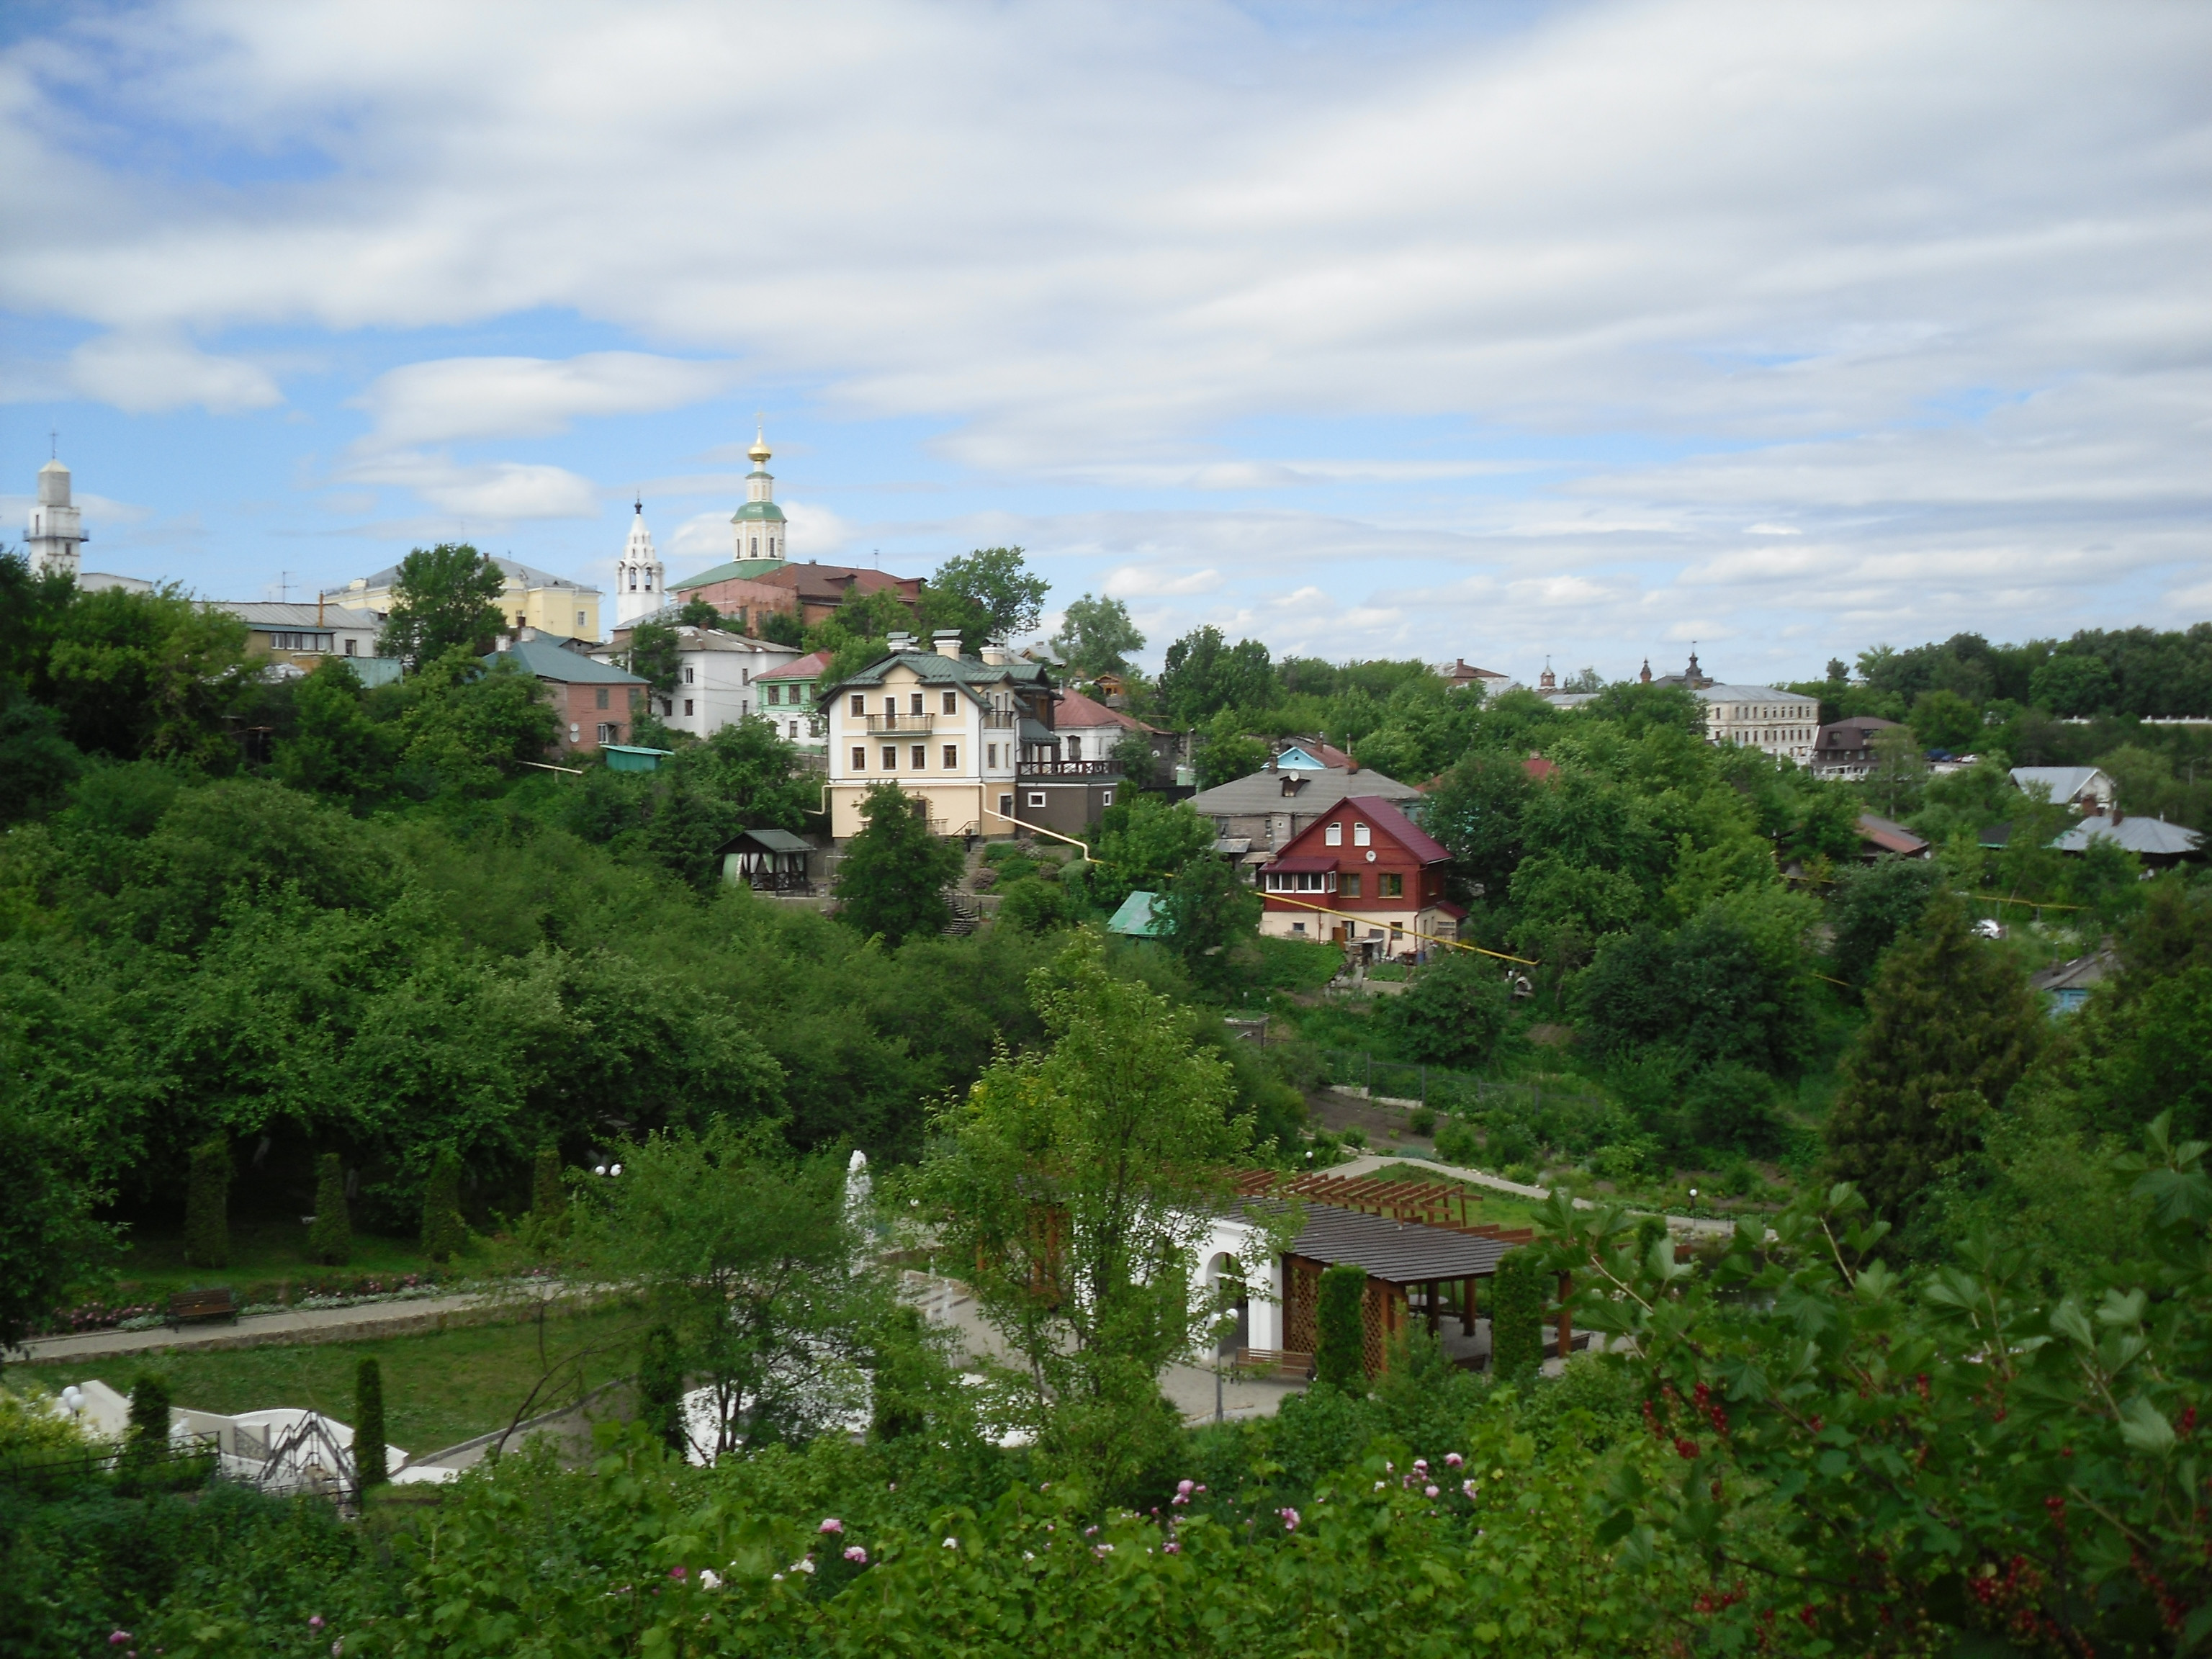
(528, 397)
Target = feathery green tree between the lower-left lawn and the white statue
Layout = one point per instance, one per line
(749, 1258)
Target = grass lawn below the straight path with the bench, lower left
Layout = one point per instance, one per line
(439, 1388)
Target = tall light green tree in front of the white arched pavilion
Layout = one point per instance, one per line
(1081, 1182)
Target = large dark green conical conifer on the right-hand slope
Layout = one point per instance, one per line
(1950, 1030)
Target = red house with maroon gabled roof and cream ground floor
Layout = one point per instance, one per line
(1361, 875)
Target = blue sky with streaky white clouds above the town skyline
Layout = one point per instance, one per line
(1512, 333)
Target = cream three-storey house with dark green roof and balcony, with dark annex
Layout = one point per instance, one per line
(968, 738)
